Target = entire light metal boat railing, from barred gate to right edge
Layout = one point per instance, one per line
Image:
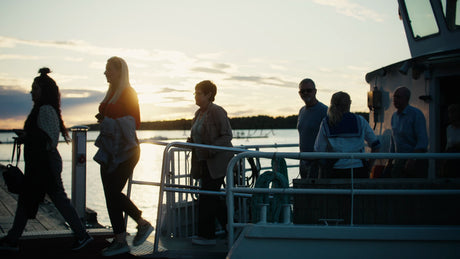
(177, 212)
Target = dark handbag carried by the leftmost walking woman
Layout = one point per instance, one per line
(12, 175)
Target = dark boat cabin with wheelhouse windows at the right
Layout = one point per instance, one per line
(432, 74)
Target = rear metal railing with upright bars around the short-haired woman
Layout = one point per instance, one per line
(176, 212)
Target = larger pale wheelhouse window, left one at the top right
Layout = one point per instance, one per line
(421, 18)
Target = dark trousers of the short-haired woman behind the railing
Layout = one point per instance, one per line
(211, 207)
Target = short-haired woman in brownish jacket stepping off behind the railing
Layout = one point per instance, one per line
(210, 126)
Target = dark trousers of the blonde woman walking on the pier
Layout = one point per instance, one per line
(117, 202)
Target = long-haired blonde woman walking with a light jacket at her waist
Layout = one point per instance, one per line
(118, 154)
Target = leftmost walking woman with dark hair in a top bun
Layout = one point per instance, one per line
(43, 164)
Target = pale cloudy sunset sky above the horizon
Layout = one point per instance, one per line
(255, 51)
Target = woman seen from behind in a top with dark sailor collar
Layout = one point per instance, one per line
(342, 131)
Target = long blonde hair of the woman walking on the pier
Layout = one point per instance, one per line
(117, 88)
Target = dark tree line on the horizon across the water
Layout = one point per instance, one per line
(251, 122)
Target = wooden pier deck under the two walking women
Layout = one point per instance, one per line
(49, 235)
